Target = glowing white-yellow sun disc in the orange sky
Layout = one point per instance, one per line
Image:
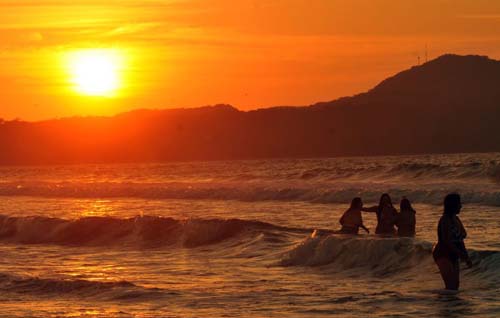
(95, 72)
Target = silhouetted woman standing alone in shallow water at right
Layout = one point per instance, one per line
(450, 247)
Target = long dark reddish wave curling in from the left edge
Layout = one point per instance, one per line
(146, 231)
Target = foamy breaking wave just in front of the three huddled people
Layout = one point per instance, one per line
(379, 256)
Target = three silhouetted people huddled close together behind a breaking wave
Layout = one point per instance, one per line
(388, 218)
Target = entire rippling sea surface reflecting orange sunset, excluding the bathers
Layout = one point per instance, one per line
(225, 239)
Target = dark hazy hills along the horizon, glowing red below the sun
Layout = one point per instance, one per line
(450, 104)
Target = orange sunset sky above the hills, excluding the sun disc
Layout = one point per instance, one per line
(248, 53)
